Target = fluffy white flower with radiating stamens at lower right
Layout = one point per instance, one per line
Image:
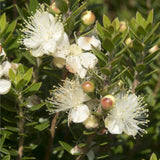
(127, 114)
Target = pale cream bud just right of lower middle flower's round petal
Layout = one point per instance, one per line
(91, 122)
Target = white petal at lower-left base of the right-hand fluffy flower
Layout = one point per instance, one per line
(114, 126)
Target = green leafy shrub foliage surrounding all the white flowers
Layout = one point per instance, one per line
(128, 59)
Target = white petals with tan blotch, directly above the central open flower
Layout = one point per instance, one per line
(86, 42)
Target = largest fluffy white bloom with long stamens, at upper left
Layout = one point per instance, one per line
(43, 33)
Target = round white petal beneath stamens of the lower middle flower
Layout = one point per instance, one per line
(79, 114)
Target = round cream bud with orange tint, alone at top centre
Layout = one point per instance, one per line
(88, 18)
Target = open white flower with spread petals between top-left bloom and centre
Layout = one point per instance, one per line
(79, 62)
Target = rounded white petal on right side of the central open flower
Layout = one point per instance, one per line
(88, 60)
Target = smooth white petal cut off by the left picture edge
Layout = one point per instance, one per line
(5, 86)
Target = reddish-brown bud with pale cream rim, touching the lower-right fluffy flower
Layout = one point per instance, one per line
(107, 102)
